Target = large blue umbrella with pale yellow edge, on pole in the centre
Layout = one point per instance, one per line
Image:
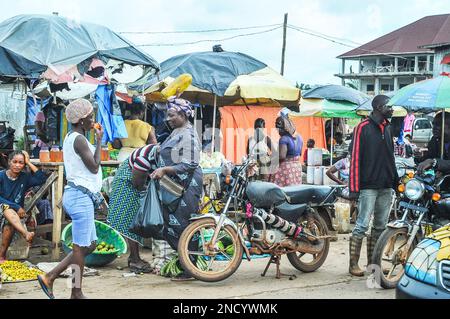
(222, 78)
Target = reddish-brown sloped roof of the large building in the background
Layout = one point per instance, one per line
(416, 37)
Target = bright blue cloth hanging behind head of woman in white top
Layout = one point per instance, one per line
(112, 122)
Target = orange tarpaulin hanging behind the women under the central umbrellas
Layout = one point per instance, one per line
(237, 125)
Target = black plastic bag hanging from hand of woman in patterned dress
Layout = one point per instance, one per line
(149, 221)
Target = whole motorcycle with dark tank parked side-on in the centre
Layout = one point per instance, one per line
(258, 218)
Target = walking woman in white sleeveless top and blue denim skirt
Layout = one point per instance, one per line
(84, 177)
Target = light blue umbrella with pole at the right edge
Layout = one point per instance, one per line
(426, 96)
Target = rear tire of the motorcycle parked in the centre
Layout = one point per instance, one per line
(318, 260)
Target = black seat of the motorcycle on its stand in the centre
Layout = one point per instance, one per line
(309, 194)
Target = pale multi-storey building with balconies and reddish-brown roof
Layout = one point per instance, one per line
(416, 52)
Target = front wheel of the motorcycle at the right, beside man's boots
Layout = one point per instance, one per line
(387, 256)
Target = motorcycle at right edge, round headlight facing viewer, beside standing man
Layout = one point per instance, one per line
(424, 206)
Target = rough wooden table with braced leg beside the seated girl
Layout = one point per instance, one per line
(56, 181)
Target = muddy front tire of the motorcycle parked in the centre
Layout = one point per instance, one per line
(189, 266)
